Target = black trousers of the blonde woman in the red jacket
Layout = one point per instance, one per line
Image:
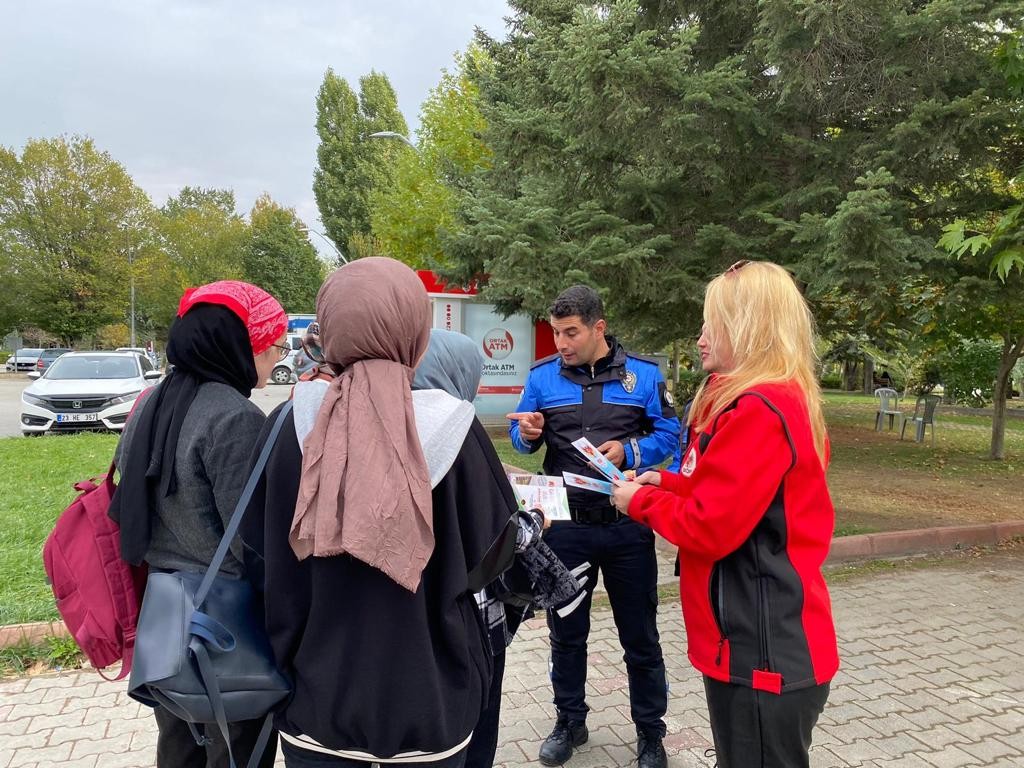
(758, 730)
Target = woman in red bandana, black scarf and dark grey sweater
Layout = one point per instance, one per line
(184, 460)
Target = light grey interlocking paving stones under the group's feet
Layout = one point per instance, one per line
(930, 678)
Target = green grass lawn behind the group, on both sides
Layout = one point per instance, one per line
(37, 483)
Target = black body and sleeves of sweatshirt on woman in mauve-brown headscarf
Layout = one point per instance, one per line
(378, 671)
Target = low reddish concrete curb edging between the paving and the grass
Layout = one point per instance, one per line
(844, 549)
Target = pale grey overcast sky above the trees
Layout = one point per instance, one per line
(218, 93)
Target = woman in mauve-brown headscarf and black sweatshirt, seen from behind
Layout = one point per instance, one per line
(382, 511)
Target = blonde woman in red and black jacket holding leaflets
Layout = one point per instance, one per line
(751, 514)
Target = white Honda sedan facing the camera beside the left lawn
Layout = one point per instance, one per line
(86, 391)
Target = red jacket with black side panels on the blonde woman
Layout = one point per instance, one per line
(753, 520)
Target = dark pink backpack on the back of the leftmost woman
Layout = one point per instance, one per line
(98, 593)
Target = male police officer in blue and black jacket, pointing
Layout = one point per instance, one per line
(594, 389)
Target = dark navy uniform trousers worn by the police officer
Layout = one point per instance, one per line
(624, 551)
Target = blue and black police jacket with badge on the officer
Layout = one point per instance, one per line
(623, 399)
